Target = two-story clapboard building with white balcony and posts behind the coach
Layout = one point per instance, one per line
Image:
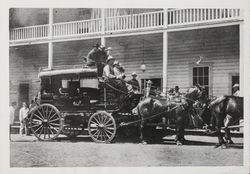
(178, 46)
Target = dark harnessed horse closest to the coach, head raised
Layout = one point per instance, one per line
(152, 110)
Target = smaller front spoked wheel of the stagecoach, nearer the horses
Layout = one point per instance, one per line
(102, 127)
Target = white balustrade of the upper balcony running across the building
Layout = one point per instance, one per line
(176, 18)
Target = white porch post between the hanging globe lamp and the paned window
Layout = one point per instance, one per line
(165, 53)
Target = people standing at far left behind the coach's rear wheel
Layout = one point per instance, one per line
(23, 115)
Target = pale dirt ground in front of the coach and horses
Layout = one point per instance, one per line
(82, 152)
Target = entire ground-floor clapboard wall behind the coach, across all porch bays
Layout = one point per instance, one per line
(219, 47)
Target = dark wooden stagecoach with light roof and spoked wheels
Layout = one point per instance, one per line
(73, 100)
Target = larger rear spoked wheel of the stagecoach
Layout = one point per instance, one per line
(46, 122)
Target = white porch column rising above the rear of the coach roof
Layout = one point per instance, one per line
(50, 59)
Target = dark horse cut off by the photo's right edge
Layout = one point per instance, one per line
(220, 113)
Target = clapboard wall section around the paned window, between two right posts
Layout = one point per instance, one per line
(219, 47)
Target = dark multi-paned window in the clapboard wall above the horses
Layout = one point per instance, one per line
(201, 76)
